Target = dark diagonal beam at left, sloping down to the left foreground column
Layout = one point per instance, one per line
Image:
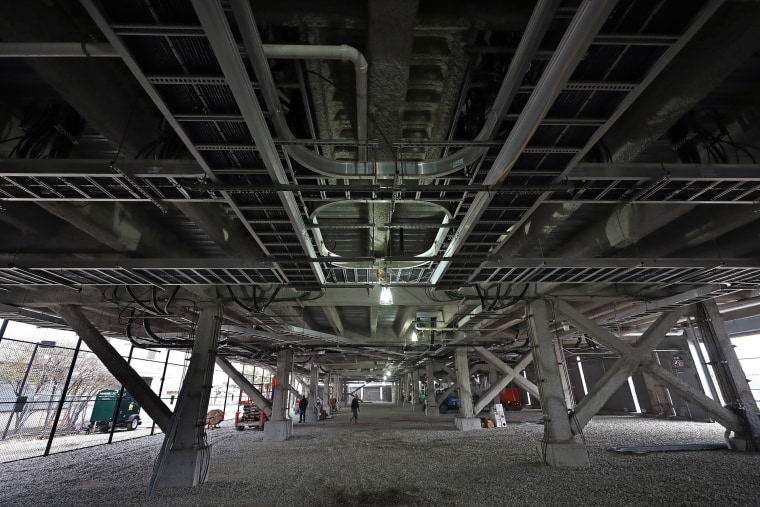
(118, 367)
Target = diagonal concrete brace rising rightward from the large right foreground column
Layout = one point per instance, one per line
(623, 368)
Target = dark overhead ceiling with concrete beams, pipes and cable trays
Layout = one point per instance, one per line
(467, 155)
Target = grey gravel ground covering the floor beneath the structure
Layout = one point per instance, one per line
(397, 457)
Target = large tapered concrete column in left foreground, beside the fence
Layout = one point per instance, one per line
(185, 457)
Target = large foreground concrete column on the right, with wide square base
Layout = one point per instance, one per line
(558, 447)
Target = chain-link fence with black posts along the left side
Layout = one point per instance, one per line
(52, 397)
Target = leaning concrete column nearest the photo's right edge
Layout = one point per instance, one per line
(732, 380)
